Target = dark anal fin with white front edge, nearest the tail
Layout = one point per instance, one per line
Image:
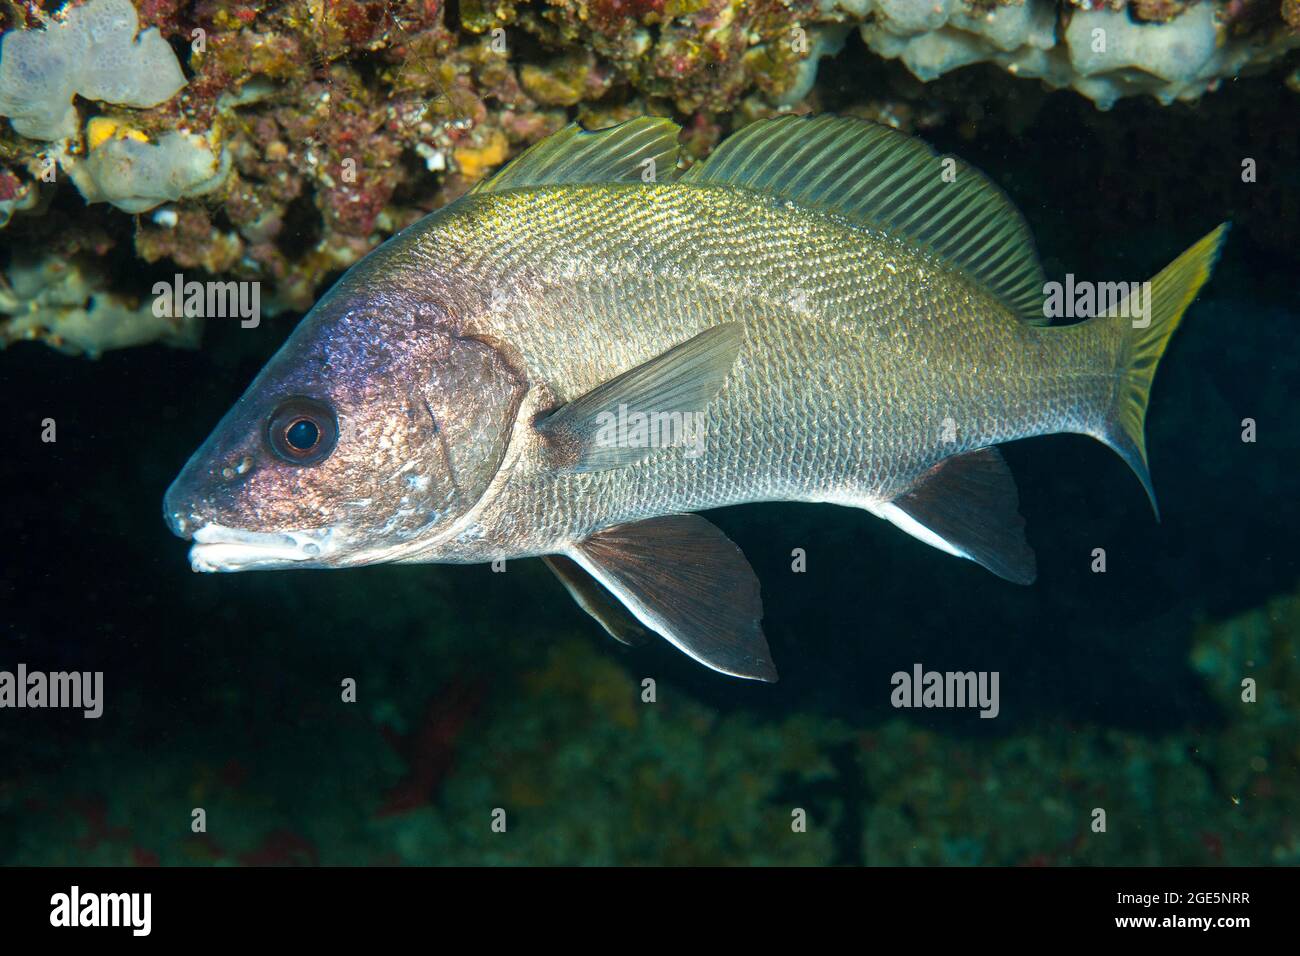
(968, 505)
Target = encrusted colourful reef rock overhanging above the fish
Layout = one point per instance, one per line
(283, 141)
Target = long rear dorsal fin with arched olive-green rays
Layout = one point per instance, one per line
(881, 179)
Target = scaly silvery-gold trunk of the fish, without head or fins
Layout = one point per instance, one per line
(856, 352)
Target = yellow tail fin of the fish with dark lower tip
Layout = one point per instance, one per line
(1172, 292)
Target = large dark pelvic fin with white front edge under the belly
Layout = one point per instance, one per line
(688, 582)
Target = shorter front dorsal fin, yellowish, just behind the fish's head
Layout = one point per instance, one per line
(575, 155)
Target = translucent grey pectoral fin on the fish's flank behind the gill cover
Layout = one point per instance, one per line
(583, 435)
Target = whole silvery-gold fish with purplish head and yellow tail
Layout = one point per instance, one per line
(569, 362)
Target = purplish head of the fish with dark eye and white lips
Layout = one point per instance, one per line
(370, 432)
